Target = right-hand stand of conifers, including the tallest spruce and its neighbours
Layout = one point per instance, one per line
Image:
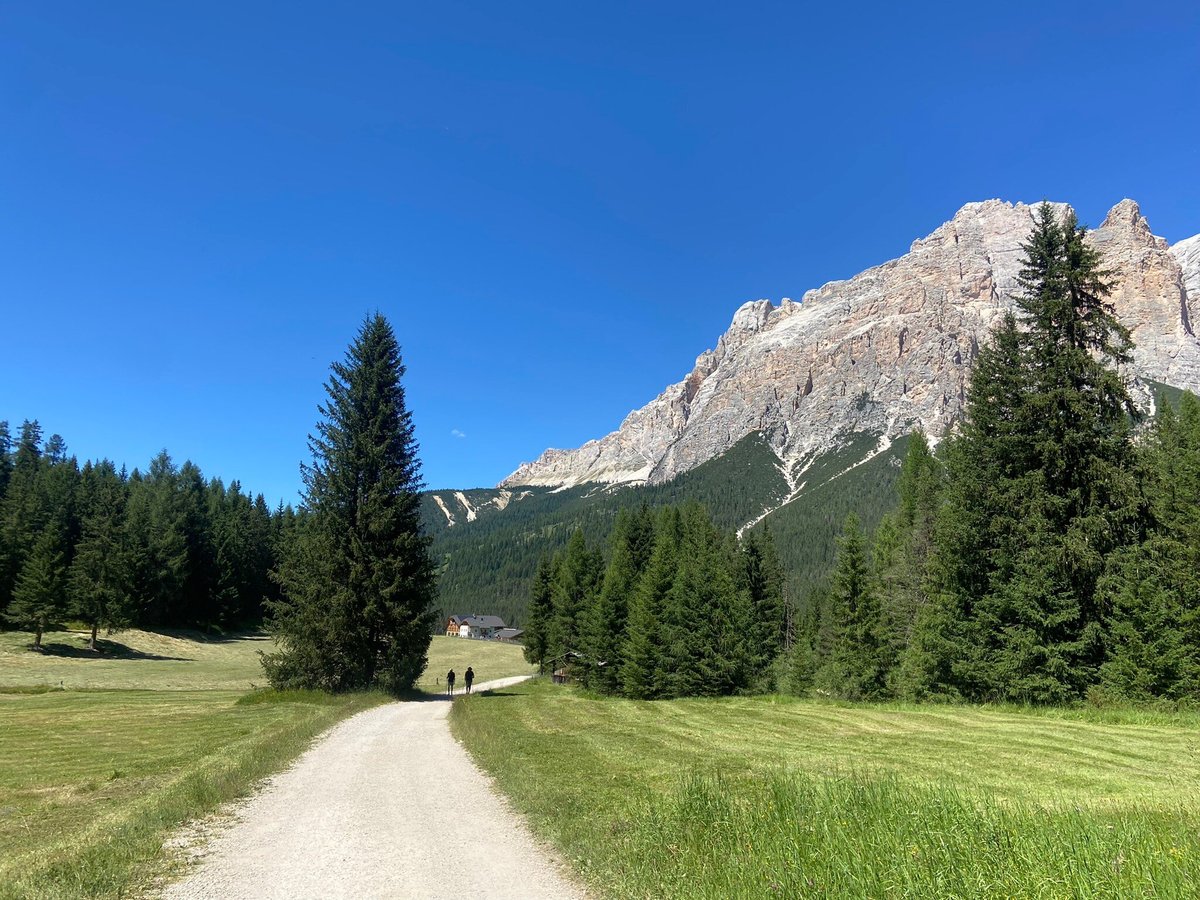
(1052, 551)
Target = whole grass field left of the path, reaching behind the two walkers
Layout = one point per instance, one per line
(160, 730)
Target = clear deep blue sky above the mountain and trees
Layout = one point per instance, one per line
(559, 206)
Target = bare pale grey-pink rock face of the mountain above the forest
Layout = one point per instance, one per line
(886, 352)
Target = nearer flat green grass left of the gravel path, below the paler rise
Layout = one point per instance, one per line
(92, 784)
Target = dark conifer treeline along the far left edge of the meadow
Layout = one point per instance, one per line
(115, 550)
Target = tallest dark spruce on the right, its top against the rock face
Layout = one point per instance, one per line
(1040, 490)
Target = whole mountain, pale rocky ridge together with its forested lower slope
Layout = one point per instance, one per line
(801, 412)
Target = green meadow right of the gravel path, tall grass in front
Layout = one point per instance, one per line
(777, 797)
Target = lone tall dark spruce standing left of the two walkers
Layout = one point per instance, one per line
(359, 583)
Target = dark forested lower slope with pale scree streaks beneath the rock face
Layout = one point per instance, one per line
(489, 562)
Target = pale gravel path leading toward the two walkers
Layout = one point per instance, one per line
(387, 806)
